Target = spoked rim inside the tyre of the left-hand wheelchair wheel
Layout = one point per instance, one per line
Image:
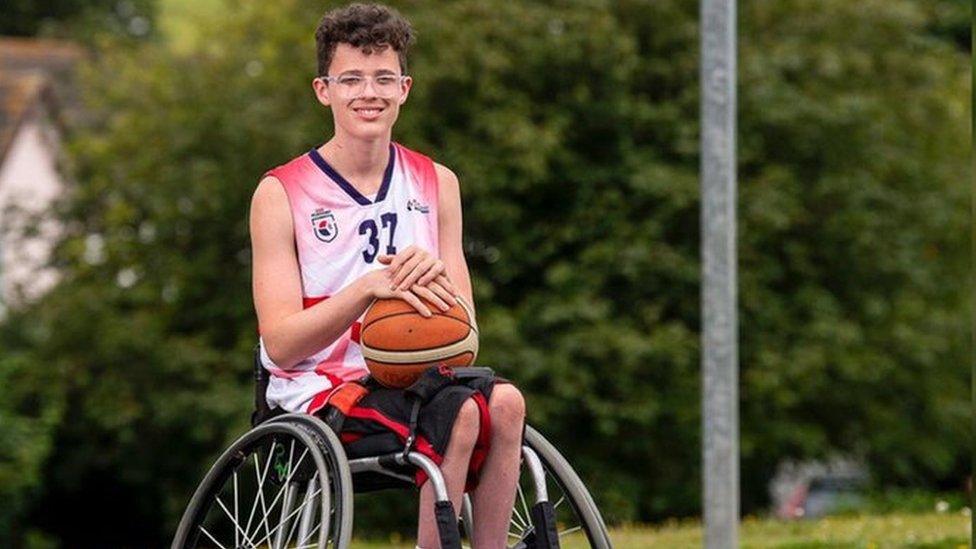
(275, 493)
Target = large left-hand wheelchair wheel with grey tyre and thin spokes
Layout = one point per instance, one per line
(282, 484)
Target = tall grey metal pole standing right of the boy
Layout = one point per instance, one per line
(720, 369)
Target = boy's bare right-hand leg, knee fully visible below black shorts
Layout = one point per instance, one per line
(494, 498)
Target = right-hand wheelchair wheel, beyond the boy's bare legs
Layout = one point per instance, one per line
(578, 521)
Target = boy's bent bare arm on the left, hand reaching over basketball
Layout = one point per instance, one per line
(291, 333)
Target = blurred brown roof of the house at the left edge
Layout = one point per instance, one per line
(29, 71)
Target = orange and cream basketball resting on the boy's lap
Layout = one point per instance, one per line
(399, 344)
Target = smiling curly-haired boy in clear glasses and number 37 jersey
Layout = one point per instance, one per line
(359, 218)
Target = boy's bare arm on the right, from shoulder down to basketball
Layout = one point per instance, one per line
(449, 232)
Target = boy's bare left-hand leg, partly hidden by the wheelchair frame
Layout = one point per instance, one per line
(454, 468)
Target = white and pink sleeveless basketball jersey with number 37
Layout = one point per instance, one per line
(339, 233)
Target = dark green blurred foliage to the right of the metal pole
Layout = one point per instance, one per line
(853, 240)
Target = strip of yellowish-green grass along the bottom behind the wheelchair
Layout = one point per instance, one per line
(928, 530)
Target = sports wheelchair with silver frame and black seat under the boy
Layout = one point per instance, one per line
(287, 483)
